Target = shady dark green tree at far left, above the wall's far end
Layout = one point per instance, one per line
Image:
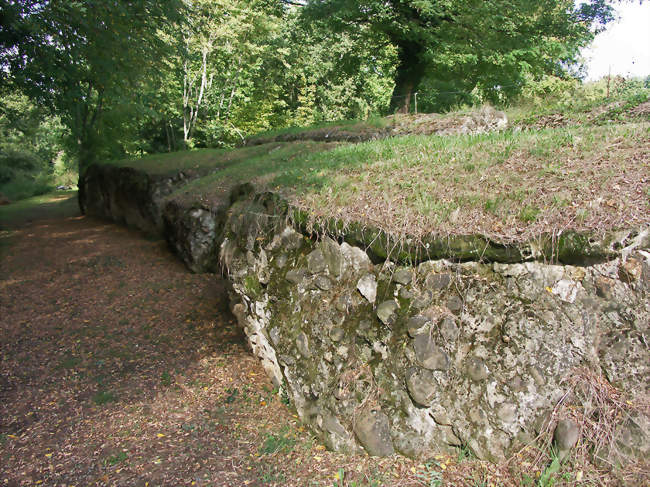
(86, 61)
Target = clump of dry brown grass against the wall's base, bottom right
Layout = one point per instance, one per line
(600, 457)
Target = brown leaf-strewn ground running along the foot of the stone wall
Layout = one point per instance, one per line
(118, 367)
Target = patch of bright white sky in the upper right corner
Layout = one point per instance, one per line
(624, 46)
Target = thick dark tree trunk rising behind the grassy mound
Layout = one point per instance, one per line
(410, 72)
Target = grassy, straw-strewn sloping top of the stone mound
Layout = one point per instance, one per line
(590, 173)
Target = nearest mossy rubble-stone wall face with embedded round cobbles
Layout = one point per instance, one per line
(411, 359)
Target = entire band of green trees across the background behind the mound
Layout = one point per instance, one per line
(118, 78)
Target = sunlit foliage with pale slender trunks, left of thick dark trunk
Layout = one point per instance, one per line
(244, 67)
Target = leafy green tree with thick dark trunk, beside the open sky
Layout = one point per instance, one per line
(489, 43)
